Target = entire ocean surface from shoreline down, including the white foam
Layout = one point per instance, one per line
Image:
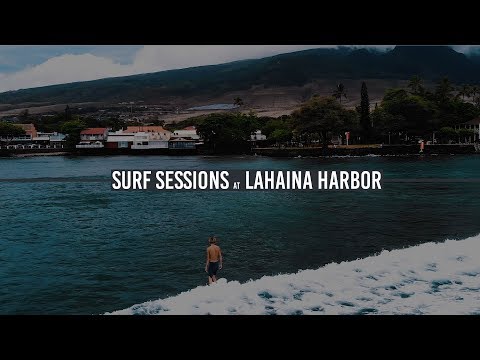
(74, 246)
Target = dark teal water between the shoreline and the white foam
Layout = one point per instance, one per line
(77, 247)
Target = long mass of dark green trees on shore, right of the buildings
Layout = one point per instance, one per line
(403, 116)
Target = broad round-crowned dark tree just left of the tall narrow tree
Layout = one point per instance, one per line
(322, 116)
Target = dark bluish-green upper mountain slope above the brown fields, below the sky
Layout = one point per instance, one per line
(292, 69)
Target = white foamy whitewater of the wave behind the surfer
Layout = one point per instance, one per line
(432, 278)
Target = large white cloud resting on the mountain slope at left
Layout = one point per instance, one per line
(83, 67)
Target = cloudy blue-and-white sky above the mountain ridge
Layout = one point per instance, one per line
(31, 66)
